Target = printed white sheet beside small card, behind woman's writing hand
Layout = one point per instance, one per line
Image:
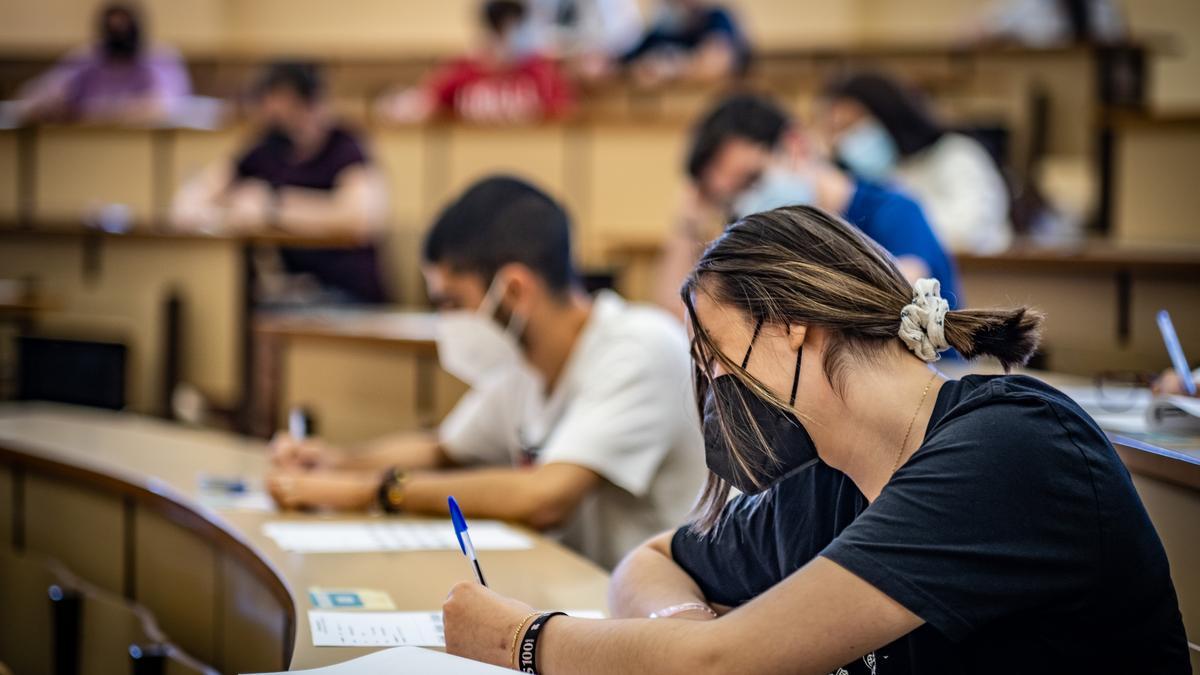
(387, 629)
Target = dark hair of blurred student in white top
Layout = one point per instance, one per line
(907, 118)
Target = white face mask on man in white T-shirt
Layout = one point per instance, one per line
(473, 348)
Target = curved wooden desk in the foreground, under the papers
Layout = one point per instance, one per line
(116, 499)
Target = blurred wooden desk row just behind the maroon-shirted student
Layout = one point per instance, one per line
(1127, 182)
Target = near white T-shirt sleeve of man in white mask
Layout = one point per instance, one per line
(628, 417)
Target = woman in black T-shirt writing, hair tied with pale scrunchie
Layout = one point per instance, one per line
(891, 522)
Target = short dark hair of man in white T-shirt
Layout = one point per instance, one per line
(502, 220)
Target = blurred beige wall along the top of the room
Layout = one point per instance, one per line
(424, 27)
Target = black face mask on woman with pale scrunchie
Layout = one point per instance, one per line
(782, 432)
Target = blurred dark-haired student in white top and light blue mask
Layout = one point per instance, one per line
(883, 133)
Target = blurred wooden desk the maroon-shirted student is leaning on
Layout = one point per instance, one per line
(182, 301)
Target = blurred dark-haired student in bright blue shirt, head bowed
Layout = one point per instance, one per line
(748, 157)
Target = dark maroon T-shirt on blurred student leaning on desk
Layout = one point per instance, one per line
(353, 271)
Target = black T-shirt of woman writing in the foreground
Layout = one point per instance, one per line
(1015, 533)
